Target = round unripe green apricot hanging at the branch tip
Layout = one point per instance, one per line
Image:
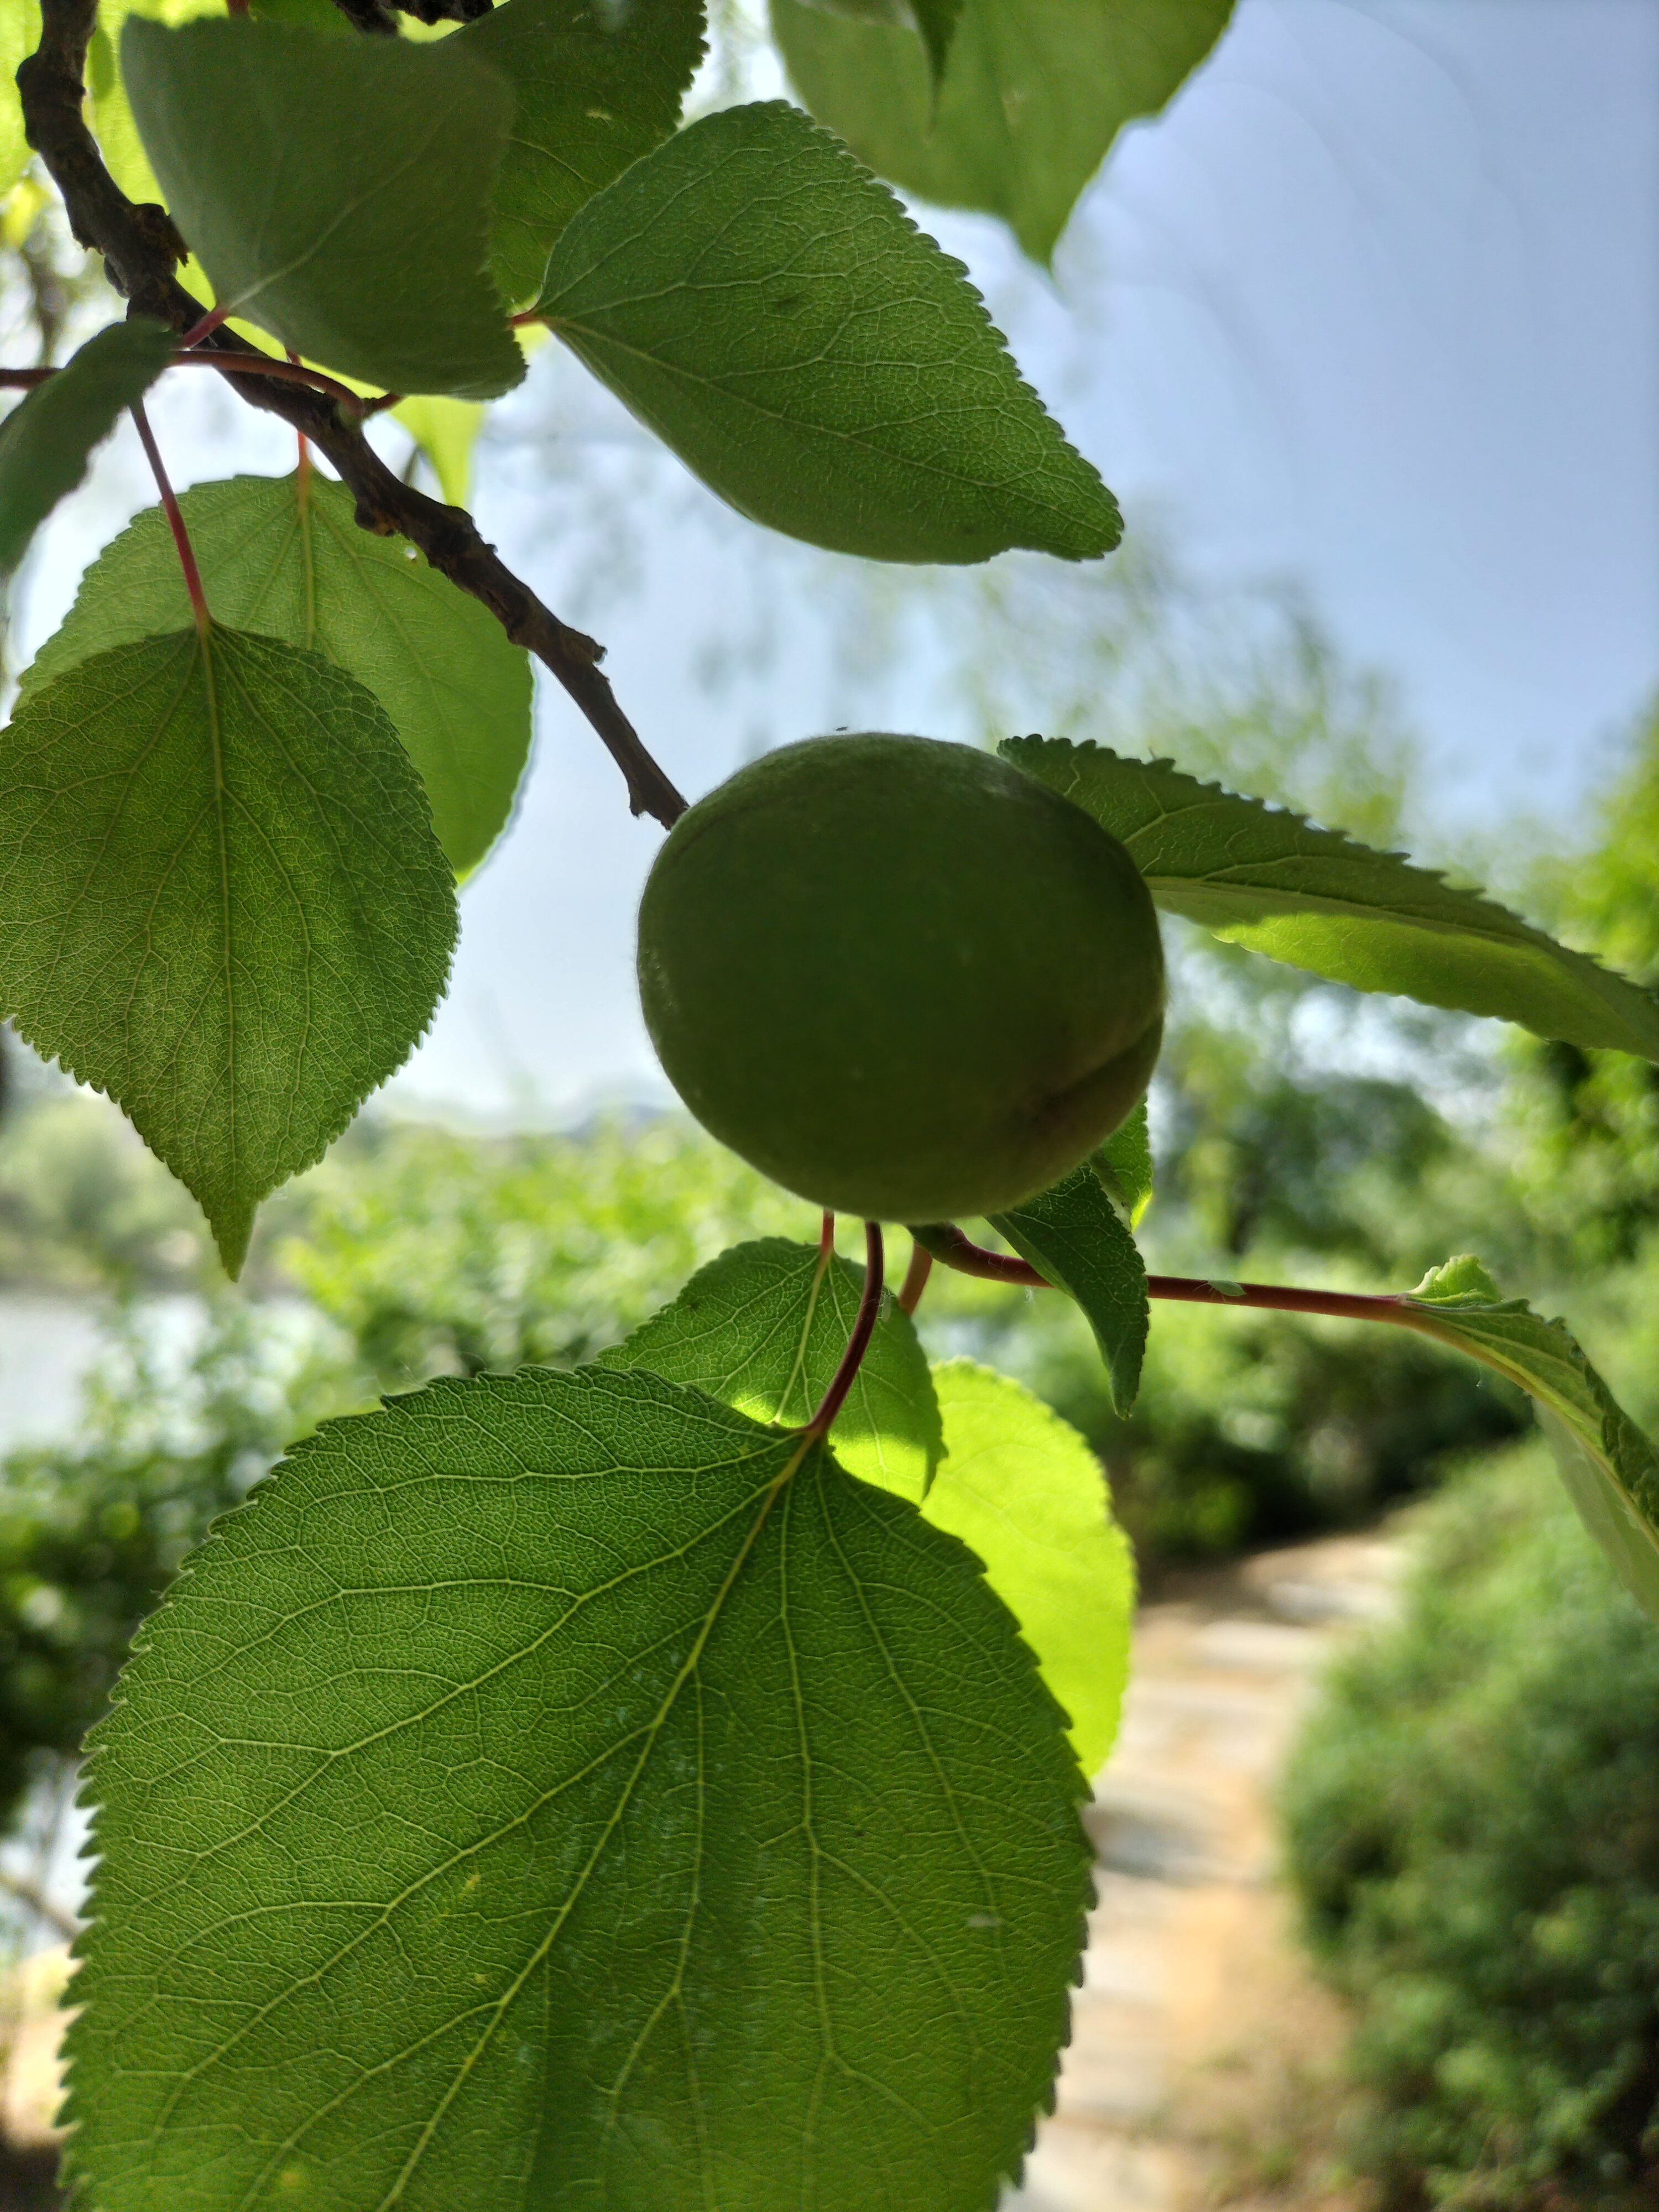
(901, 977)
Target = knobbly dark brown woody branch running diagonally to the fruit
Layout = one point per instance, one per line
(143, 249)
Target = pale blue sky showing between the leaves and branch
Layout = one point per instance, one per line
(1377, 309)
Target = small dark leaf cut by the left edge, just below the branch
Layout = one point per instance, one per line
(50, 437)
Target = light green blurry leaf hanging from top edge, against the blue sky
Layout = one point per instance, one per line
(1034, 96)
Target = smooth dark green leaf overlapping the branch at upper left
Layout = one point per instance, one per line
(337, 194)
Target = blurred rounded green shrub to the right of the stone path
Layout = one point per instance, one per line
(1474, 1830)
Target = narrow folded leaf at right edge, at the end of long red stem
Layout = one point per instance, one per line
(1609, 1468)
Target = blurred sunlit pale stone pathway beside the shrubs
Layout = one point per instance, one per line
(1187, 1943)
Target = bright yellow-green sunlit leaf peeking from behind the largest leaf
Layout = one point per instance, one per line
(1027, 1494)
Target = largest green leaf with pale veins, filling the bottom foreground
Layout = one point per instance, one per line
(561, 1791)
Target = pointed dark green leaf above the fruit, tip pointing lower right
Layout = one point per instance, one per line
(780, 322)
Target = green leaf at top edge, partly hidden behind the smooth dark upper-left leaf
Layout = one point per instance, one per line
(596, 90)
